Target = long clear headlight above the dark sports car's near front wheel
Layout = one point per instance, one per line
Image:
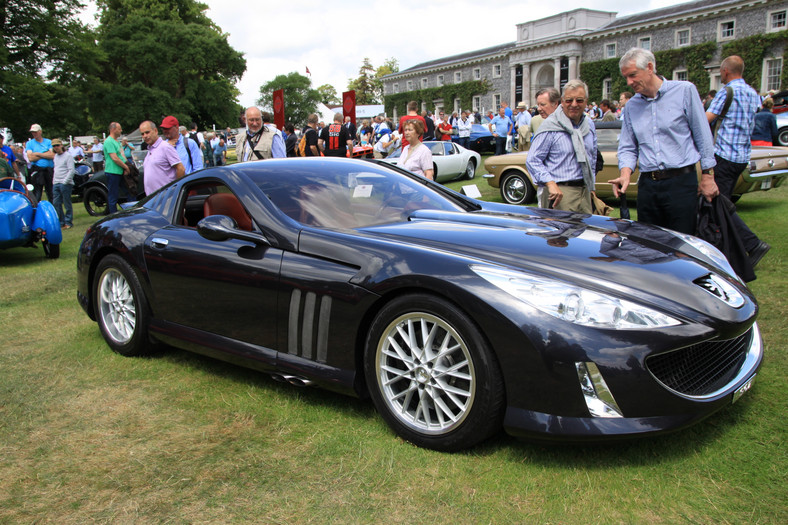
(573, 303)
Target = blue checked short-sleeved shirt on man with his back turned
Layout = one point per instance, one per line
(735, 130)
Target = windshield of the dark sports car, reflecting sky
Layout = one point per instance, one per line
(330, 195)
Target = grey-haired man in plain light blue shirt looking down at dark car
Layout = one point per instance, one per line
(665, 132)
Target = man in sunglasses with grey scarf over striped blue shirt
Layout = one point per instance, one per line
(562, 157)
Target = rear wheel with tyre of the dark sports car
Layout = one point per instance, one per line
(121, 307)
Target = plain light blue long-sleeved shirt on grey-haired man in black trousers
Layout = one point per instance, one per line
(665, 132)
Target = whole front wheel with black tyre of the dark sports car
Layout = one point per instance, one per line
(431, 374)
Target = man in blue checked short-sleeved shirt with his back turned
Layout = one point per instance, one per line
(732, 146)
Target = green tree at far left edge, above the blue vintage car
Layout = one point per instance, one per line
(46, 51)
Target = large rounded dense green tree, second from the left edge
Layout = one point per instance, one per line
(164, 57)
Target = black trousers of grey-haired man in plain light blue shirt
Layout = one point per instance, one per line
(670, 203)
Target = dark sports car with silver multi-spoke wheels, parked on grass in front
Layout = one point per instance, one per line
(457, 317)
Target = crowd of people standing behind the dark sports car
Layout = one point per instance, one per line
(559, 133)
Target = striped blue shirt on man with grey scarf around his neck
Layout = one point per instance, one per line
(552, 156)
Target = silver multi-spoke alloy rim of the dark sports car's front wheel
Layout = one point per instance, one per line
(425, 373)
